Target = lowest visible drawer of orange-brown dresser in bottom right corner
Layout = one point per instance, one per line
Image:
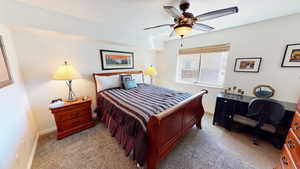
(286, 160)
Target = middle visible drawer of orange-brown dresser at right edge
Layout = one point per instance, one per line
(293, 144)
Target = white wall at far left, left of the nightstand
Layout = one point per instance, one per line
(18, 127)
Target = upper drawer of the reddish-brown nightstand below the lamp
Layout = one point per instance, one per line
(72, 114)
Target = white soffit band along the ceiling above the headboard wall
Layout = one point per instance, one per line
(21, 14)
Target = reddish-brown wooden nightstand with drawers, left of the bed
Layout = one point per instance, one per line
(73, 117)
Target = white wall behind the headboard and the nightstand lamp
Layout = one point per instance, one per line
(41, 52)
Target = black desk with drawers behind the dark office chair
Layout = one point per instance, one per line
(227, 106)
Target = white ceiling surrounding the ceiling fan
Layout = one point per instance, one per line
(131, 16)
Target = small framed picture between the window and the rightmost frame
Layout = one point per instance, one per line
(247, 64)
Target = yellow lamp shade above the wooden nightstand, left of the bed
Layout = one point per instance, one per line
(66, 72)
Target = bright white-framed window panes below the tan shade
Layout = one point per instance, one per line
(203, 68)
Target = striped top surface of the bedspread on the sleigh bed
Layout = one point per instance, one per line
(144, 101)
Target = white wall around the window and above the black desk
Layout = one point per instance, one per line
(264, 39)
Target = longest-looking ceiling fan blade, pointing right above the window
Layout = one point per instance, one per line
(217, 13)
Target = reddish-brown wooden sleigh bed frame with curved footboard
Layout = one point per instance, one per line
(165, 129)
